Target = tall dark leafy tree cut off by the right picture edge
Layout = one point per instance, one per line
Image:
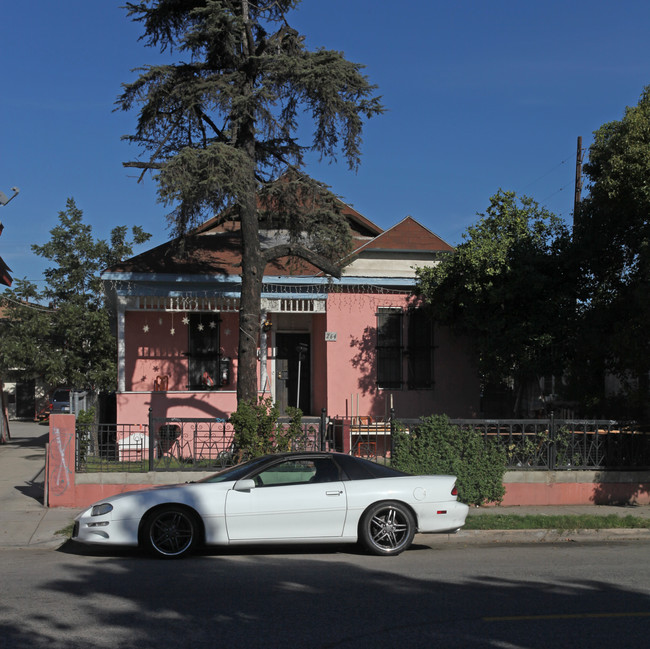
(612, 237)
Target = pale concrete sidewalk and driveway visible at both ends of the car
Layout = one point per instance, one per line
(26, 522)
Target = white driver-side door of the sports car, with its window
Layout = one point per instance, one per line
(298, 498)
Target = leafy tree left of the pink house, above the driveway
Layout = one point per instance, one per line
(70, 341)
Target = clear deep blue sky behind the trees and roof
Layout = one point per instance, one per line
(479, 96)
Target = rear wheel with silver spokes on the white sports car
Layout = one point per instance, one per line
(387, 528)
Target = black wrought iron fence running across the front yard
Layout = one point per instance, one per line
(207, 444)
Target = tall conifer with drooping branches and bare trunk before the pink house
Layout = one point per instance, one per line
(221, 125)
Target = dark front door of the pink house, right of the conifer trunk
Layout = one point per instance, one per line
(293, 371)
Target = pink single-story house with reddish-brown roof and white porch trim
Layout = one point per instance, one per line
(350, 346)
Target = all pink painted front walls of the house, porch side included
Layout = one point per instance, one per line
(343, 375)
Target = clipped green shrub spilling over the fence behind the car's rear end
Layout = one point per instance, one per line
(436, 446)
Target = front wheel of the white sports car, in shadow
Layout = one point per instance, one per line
(170, 532)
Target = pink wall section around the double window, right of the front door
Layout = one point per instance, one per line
(351, 367)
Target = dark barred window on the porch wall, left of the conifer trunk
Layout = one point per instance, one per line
(204, 352)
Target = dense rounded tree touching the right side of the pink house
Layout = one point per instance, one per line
(508, 288)
